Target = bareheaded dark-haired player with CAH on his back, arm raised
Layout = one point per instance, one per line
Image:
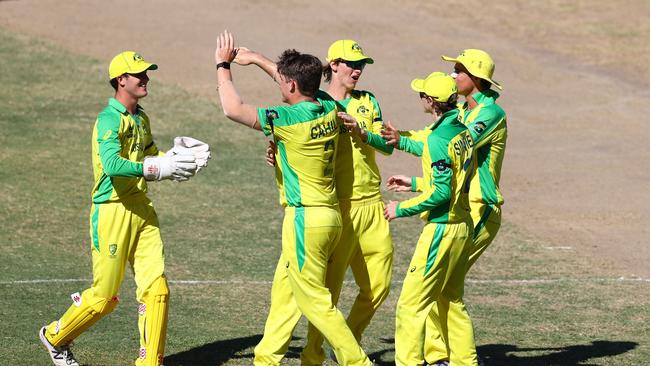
(306, 135)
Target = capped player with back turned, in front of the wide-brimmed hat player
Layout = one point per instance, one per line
(438, 266)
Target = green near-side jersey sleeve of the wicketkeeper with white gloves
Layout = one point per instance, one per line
(108, 140)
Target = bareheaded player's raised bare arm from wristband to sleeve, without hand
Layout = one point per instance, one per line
(232, 104)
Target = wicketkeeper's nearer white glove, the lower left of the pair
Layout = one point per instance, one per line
(176, 167)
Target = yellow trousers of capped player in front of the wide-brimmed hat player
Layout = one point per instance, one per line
(437, 269)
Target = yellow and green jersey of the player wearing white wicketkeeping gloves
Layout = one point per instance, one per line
(120, 142)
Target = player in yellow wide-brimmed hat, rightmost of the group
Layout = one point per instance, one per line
(486, 121)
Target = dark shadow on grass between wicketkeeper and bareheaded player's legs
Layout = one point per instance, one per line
(217, 353)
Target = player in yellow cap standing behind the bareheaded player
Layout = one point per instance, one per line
(365, 245)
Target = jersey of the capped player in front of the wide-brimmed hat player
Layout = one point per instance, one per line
(447, 166)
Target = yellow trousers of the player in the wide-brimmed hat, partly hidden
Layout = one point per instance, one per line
(487, 221)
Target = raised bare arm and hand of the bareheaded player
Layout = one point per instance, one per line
(233, 106)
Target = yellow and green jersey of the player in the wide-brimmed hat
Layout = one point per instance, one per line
(487, 124)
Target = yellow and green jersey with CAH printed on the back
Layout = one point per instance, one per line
(306, 135)
